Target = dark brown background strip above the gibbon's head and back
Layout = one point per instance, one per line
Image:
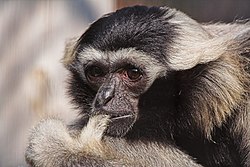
(201, 10)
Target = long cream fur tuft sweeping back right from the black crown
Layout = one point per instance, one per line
(196, 45)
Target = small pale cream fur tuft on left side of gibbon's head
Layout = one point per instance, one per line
(70, 51)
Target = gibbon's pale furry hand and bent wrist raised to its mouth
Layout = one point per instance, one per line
(50, 143)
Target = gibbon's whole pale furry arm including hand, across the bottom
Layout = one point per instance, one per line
(51, 144)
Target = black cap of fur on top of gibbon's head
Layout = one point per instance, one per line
(117, 30)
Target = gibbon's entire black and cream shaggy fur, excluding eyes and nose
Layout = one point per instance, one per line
(190, 109)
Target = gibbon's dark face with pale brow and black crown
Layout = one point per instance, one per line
(117, 59)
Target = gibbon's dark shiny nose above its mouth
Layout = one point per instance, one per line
(104, 95)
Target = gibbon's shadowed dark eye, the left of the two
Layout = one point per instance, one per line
(94, 72)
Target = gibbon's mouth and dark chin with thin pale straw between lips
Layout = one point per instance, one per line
(119, 125)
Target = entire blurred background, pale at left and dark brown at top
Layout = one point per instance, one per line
(32, 39)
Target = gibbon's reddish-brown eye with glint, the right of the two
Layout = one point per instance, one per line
(133, 73)
